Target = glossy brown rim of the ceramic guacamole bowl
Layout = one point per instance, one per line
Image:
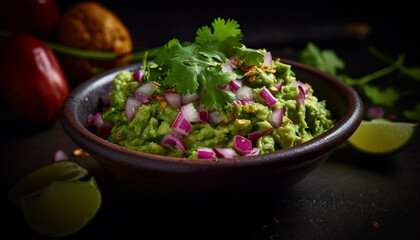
(320, 145)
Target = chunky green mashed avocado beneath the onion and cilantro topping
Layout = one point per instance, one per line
(154, 118)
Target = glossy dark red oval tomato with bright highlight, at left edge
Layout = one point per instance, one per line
(32, 80)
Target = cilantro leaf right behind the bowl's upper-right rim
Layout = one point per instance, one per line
(324, 60)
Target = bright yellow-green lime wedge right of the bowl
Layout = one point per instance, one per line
(382, 137)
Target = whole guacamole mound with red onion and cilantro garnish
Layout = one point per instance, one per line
(213, 98)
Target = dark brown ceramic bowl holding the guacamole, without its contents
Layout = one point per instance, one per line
(240, 178)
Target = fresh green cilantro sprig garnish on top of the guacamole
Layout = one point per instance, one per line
(196, 67)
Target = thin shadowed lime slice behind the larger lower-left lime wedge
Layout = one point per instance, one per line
(35, 182)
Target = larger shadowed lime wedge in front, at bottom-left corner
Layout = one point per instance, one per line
(63, 208)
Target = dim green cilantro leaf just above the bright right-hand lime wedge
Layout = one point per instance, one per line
(386, 97)
